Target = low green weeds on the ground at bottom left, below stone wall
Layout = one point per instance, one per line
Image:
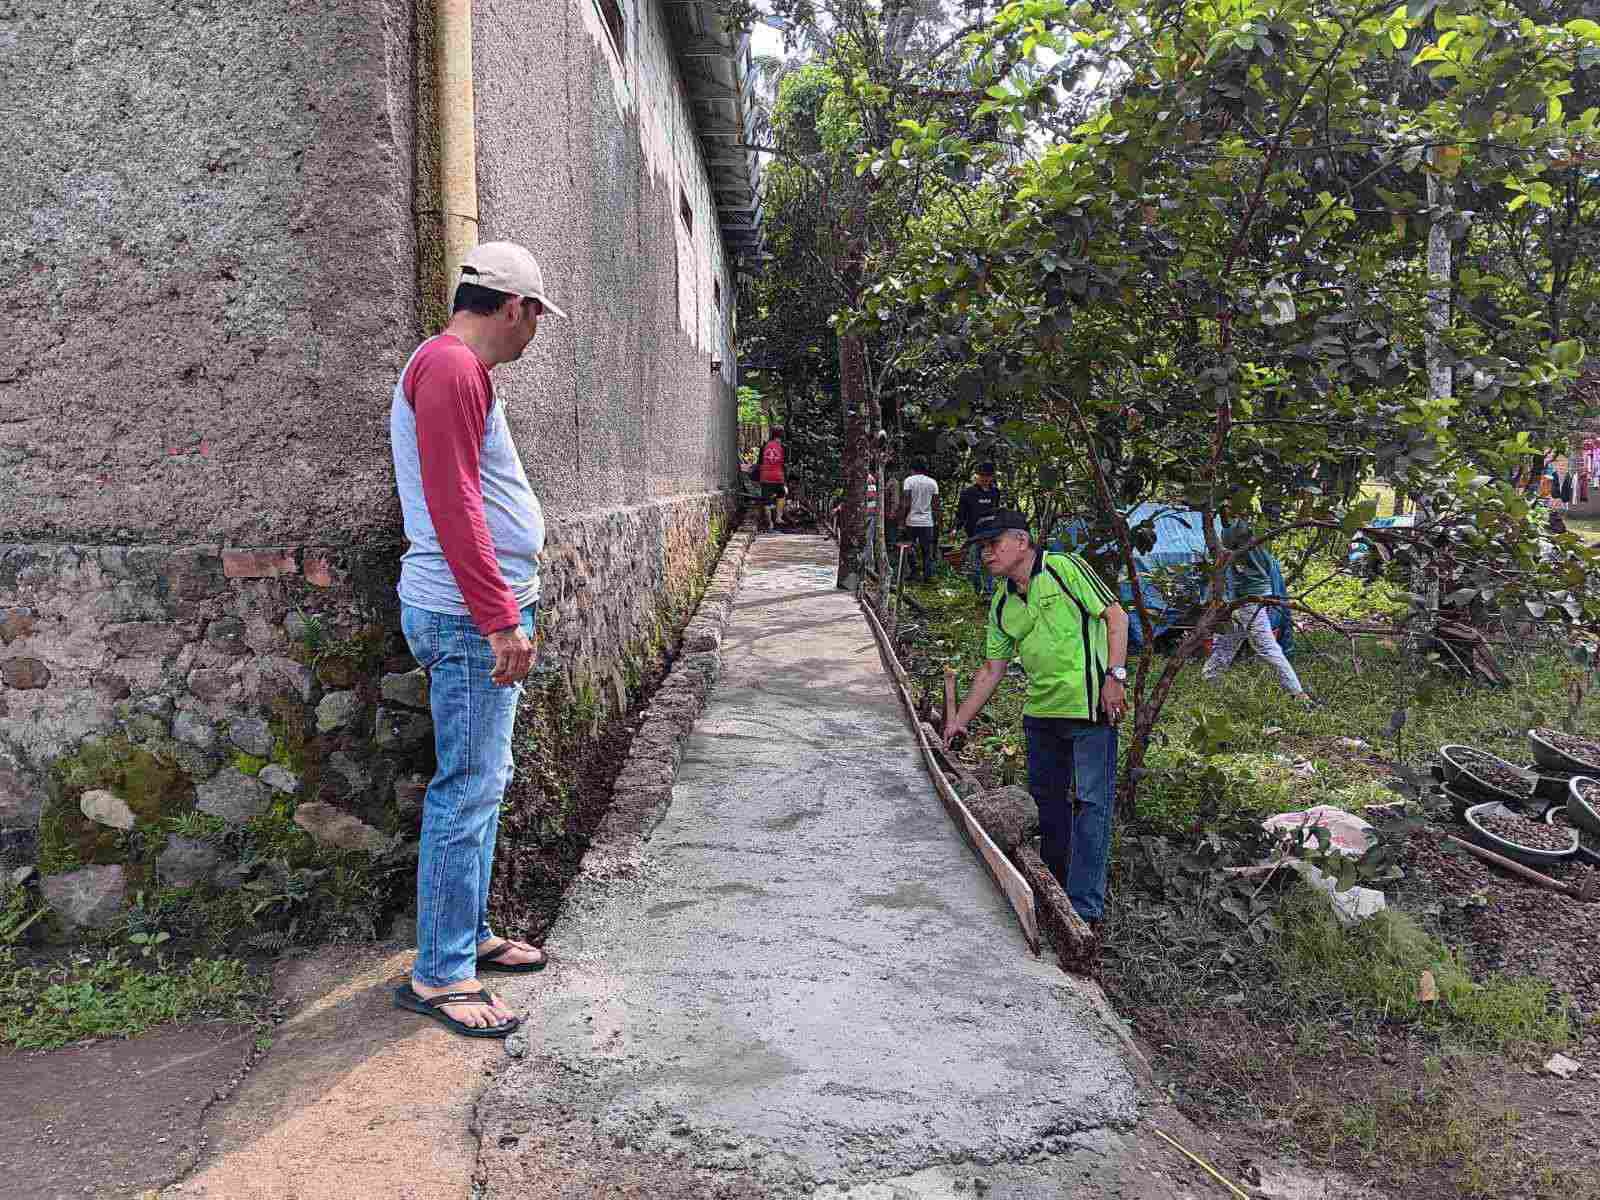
(49, 1007)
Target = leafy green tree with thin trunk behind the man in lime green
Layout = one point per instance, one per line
(1209, 290)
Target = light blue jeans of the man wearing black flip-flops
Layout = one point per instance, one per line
(473, 727)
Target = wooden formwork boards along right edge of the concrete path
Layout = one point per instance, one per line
(1028, 886)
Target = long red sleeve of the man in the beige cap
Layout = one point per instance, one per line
(452, 396)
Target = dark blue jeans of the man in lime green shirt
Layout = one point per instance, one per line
(1076, 846)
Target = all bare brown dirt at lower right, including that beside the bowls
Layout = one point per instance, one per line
(1398, 1108)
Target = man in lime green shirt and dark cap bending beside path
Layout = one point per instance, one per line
(1065, 625)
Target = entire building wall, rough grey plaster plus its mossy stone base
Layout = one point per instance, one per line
(215, 255)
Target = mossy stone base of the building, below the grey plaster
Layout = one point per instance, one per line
(158, 698)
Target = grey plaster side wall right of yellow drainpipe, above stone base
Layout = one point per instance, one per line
(585, 158)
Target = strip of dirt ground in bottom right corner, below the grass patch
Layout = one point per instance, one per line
(1404, 1118)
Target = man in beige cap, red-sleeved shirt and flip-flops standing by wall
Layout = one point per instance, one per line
(470, 591)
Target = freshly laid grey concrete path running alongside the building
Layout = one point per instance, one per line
(804, 983)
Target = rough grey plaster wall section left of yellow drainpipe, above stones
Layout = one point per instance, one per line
(207, 270)
